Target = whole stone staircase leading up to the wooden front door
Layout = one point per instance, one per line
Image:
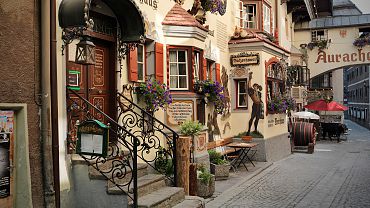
(152, 188)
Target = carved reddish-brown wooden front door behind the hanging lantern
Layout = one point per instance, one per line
(96, 83)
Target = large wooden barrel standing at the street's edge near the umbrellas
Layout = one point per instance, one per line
(303, 133)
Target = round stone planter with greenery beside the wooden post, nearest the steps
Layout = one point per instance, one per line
(205, 182)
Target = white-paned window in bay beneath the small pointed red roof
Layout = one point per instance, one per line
(178, 69)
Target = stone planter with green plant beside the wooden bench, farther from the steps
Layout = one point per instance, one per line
(219, 166)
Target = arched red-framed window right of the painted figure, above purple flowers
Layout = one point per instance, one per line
(275, 80)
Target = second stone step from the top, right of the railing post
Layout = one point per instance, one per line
(145, 184)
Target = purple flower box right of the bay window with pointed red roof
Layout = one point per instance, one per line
(212, 92)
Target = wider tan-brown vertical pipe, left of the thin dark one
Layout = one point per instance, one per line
(48, 181)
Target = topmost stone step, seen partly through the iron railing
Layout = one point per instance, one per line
(118, 173)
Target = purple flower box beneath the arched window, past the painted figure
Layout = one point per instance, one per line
(280, 105)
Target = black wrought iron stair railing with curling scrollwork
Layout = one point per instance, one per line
(137, 136)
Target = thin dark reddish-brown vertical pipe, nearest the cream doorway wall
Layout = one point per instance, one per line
(54, 101)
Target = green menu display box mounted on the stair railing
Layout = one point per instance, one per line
(93, 138)
